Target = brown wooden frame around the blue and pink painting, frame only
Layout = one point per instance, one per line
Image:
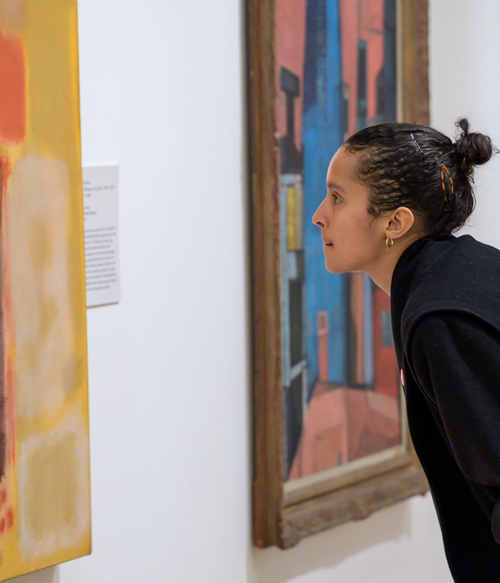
(281, 516)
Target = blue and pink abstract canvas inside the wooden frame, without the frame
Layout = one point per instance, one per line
(336, 74)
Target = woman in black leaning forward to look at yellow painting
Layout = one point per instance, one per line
(395, 195)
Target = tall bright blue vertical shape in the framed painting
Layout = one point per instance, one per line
(322, 136)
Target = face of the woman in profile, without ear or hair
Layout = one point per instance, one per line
(353, 239)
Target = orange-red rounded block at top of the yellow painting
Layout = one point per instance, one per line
(12, 91)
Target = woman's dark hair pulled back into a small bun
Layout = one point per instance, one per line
(402, 164)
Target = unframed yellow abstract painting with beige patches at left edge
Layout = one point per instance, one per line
(44, 445)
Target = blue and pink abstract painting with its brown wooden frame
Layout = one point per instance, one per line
(331, 443)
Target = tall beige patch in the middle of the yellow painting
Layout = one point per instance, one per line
(47, 369)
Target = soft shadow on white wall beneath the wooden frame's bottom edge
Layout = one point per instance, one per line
(328, 549)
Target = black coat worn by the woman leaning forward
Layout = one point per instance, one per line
(445, 302)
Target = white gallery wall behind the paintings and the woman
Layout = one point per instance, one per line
(163, 96)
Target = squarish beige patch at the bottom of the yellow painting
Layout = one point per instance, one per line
(54, 489)
